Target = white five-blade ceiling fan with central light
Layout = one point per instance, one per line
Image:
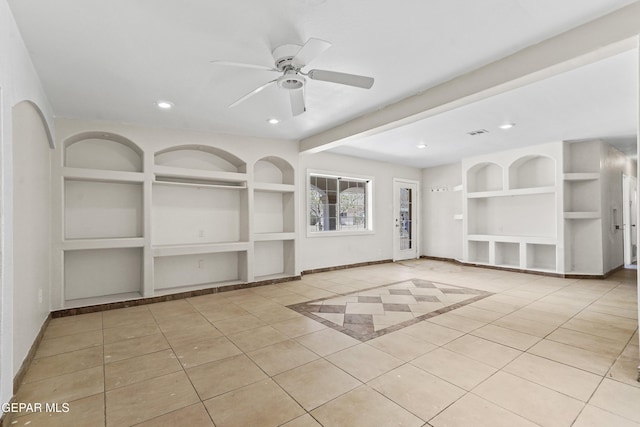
(290, 59)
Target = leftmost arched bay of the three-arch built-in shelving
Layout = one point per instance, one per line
(102, 235)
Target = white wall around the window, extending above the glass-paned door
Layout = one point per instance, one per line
(333, 250)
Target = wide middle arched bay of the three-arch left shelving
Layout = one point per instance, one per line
(200, 218)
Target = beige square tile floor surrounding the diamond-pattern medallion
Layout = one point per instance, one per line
(538, 351)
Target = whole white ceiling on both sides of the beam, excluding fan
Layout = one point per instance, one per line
(111, 60)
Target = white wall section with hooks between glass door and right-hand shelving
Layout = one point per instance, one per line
(441, 233)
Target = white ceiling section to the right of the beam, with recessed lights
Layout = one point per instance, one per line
(599, 100)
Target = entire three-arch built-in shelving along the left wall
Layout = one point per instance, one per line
(140, 223)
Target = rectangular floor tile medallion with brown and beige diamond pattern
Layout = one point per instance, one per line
(374, 312)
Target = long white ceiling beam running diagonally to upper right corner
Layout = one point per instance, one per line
(603, 37)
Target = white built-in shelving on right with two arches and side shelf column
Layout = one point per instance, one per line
(536, 208)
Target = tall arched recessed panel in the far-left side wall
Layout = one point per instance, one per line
(32, 216)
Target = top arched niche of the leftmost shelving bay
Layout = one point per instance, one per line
(102, 150)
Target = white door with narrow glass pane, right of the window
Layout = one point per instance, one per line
(405, 227)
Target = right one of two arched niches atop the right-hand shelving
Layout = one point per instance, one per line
(532, 171)
